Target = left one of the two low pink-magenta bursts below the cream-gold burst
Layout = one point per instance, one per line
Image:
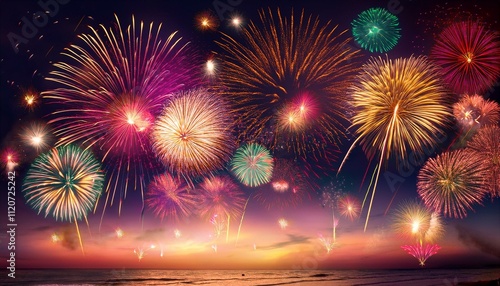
(170, 197)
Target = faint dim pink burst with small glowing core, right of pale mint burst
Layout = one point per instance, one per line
(286, 188)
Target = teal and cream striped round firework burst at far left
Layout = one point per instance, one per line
(65, 182)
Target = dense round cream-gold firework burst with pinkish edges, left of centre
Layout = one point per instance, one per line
(192, 135)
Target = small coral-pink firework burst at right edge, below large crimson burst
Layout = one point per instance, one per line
(473, 111)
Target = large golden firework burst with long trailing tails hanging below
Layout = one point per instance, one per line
(399, 107)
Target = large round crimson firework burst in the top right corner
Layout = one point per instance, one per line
(469, 56)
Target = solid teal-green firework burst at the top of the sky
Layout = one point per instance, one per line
(376, 30)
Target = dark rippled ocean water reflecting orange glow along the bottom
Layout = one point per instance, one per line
(251, 277)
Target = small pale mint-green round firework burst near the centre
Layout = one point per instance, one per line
(252, 164)
